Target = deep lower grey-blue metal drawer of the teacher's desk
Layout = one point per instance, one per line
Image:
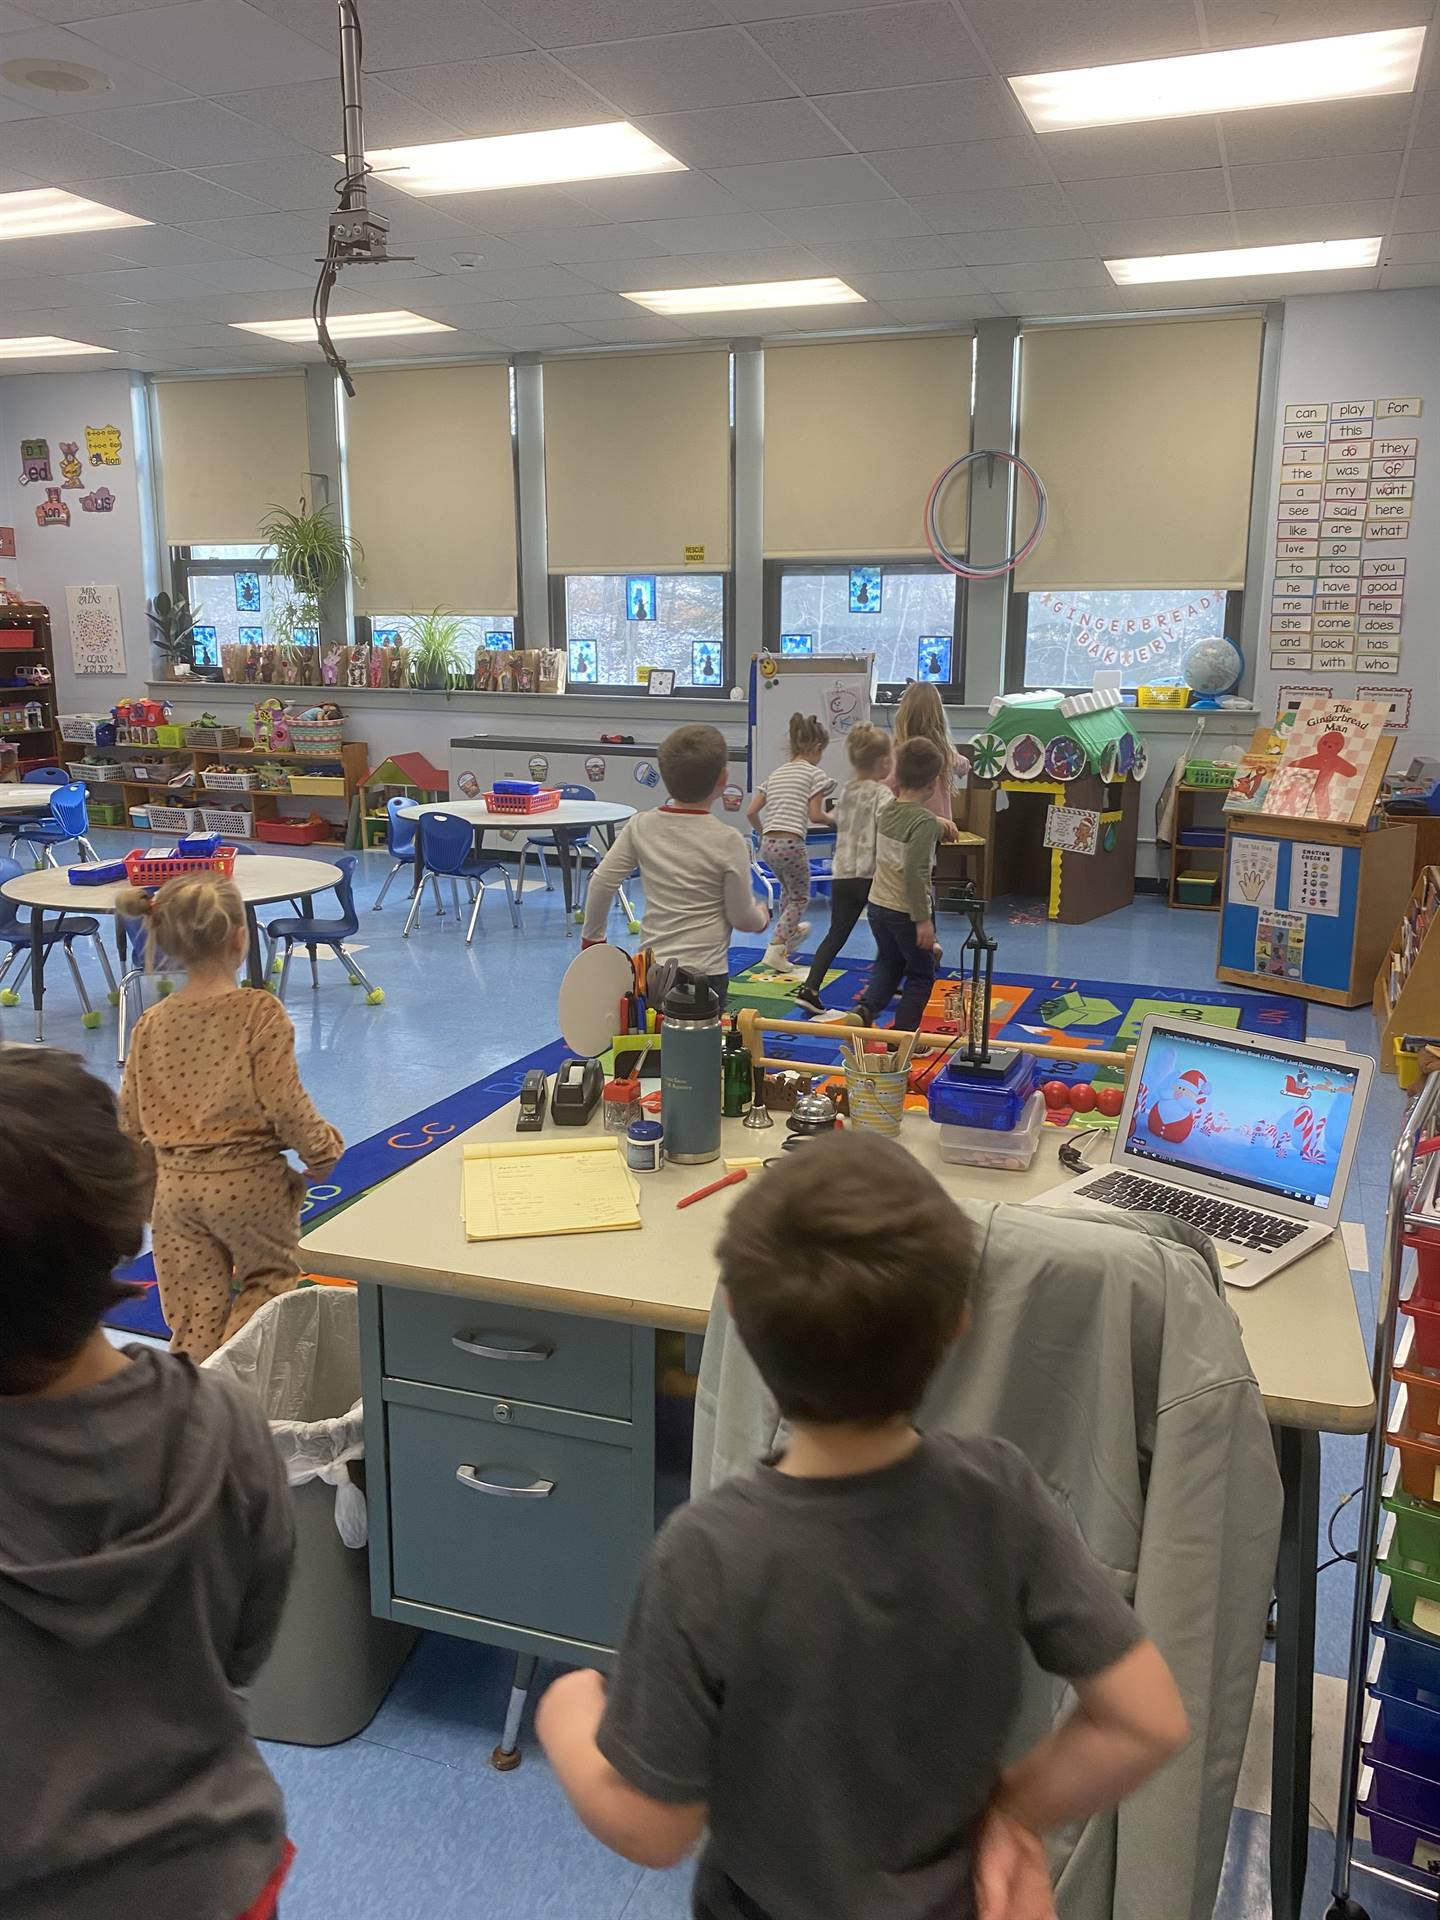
(560, 1560)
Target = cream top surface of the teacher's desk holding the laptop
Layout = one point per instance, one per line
(1301, 1328)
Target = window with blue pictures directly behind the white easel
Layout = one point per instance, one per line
(905, 615)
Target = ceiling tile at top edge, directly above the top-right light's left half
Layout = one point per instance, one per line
(1049, 37)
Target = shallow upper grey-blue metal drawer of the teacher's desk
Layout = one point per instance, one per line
(554, 1360)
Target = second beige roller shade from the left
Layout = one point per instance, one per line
(450, 540)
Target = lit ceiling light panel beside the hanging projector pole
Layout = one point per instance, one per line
(606, 153)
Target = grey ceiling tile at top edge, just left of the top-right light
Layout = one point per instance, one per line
(875, 47)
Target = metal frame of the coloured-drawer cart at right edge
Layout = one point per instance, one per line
(1422, 1120)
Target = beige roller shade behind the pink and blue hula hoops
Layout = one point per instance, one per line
(1145, 441)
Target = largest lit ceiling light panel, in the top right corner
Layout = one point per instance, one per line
(1351, 66)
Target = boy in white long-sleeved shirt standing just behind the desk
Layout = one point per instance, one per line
(696, 869)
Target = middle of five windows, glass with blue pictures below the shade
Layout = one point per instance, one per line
(621, 625)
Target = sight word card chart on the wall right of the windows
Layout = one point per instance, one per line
(1347, 502)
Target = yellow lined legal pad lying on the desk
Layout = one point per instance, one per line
(519, 1189)
